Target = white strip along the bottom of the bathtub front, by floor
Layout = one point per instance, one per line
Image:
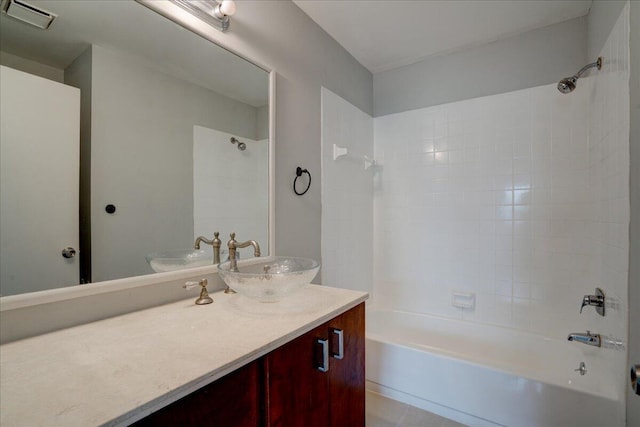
(427, 405)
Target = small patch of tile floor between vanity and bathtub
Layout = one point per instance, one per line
(384, 412)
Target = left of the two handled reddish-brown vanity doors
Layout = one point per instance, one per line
(296, 391)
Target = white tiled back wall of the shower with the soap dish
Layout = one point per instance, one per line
(487, 196)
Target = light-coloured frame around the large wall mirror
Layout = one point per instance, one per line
(199, 28)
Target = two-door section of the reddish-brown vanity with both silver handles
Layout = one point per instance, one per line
(299, 394)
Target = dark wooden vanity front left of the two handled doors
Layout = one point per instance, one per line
(232, 401)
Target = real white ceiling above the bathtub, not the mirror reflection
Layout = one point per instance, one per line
(383, 35)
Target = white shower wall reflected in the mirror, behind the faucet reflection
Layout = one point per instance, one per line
(234, 172)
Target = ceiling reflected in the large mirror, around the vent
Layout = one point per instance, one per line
(132, 29)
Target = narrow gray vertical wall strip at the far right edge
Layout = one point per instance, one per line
(633, 403)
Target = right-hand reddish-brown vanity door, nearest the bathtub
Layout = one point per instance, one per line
(346, 374)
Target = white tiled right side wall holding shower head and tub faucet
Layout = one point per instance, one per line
(609, 167)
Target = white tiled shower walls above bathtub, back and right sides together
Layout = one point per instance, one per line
(520, 198)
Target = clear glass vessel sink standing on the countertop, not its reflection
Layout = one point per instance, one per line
(271, 279)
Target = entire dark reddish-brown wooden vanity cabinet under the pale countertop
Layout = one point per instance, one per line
(286, 388)
